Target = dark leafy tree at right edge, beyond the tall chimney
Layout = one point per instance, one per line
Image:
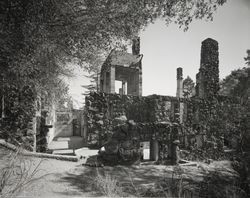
(237, 84)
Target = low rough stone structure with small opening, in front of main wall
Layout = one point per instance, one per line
(124, 145)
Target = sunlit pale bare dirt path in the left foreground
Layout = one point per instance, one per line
(56, 182)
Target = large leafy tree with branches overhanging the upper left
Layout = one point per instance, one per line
(40, 37)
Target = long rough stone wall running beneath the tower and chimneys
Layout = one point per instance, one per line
(201, 119)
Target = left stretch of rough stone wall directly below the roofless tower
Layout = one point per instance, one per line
(102, 109)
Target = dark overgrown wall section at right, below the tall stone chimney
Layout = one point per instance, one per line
(224, 122)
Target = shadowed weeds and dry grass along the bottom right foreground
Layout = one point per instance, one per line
(178, 184)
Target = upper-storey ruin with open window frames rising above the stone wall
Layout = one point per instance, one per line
(124, 67)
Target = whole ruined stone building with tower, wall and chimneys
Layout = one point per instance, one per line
(157, 116)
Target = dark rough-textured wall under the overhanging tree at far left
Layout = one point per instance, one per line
(16, 126)
